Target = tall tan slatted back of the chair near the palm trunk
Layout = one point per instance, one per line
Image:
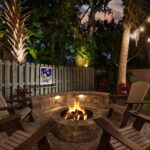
(137, 93)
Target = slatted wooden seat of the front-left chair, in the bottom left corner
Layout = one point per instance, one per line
(14, 140)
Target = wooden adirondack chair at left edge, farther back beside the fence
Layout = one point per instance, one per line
(6, 110)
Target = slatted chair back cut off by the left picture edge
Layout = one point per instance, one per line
(3, 104)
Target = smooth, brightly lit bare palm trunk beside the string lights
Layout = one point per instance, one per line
(124, 56)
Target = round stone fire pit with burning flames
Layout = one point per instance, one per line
(75, 124)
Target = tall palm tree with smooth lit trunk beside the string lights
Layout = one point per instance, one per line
(135, 12)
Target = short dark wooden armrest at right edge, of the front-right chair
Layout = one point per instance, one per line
(140, 116)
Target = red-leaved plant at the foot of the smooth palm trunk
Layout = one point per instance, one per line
(124, 88)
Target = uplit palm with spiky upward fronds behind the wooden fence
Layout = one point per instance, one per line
(15, 23)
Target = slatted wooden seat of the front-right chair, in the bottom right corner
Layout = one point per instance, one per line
(132, 134)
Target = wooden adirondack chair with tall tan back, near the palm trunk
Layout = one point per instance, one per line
(135, 101)
